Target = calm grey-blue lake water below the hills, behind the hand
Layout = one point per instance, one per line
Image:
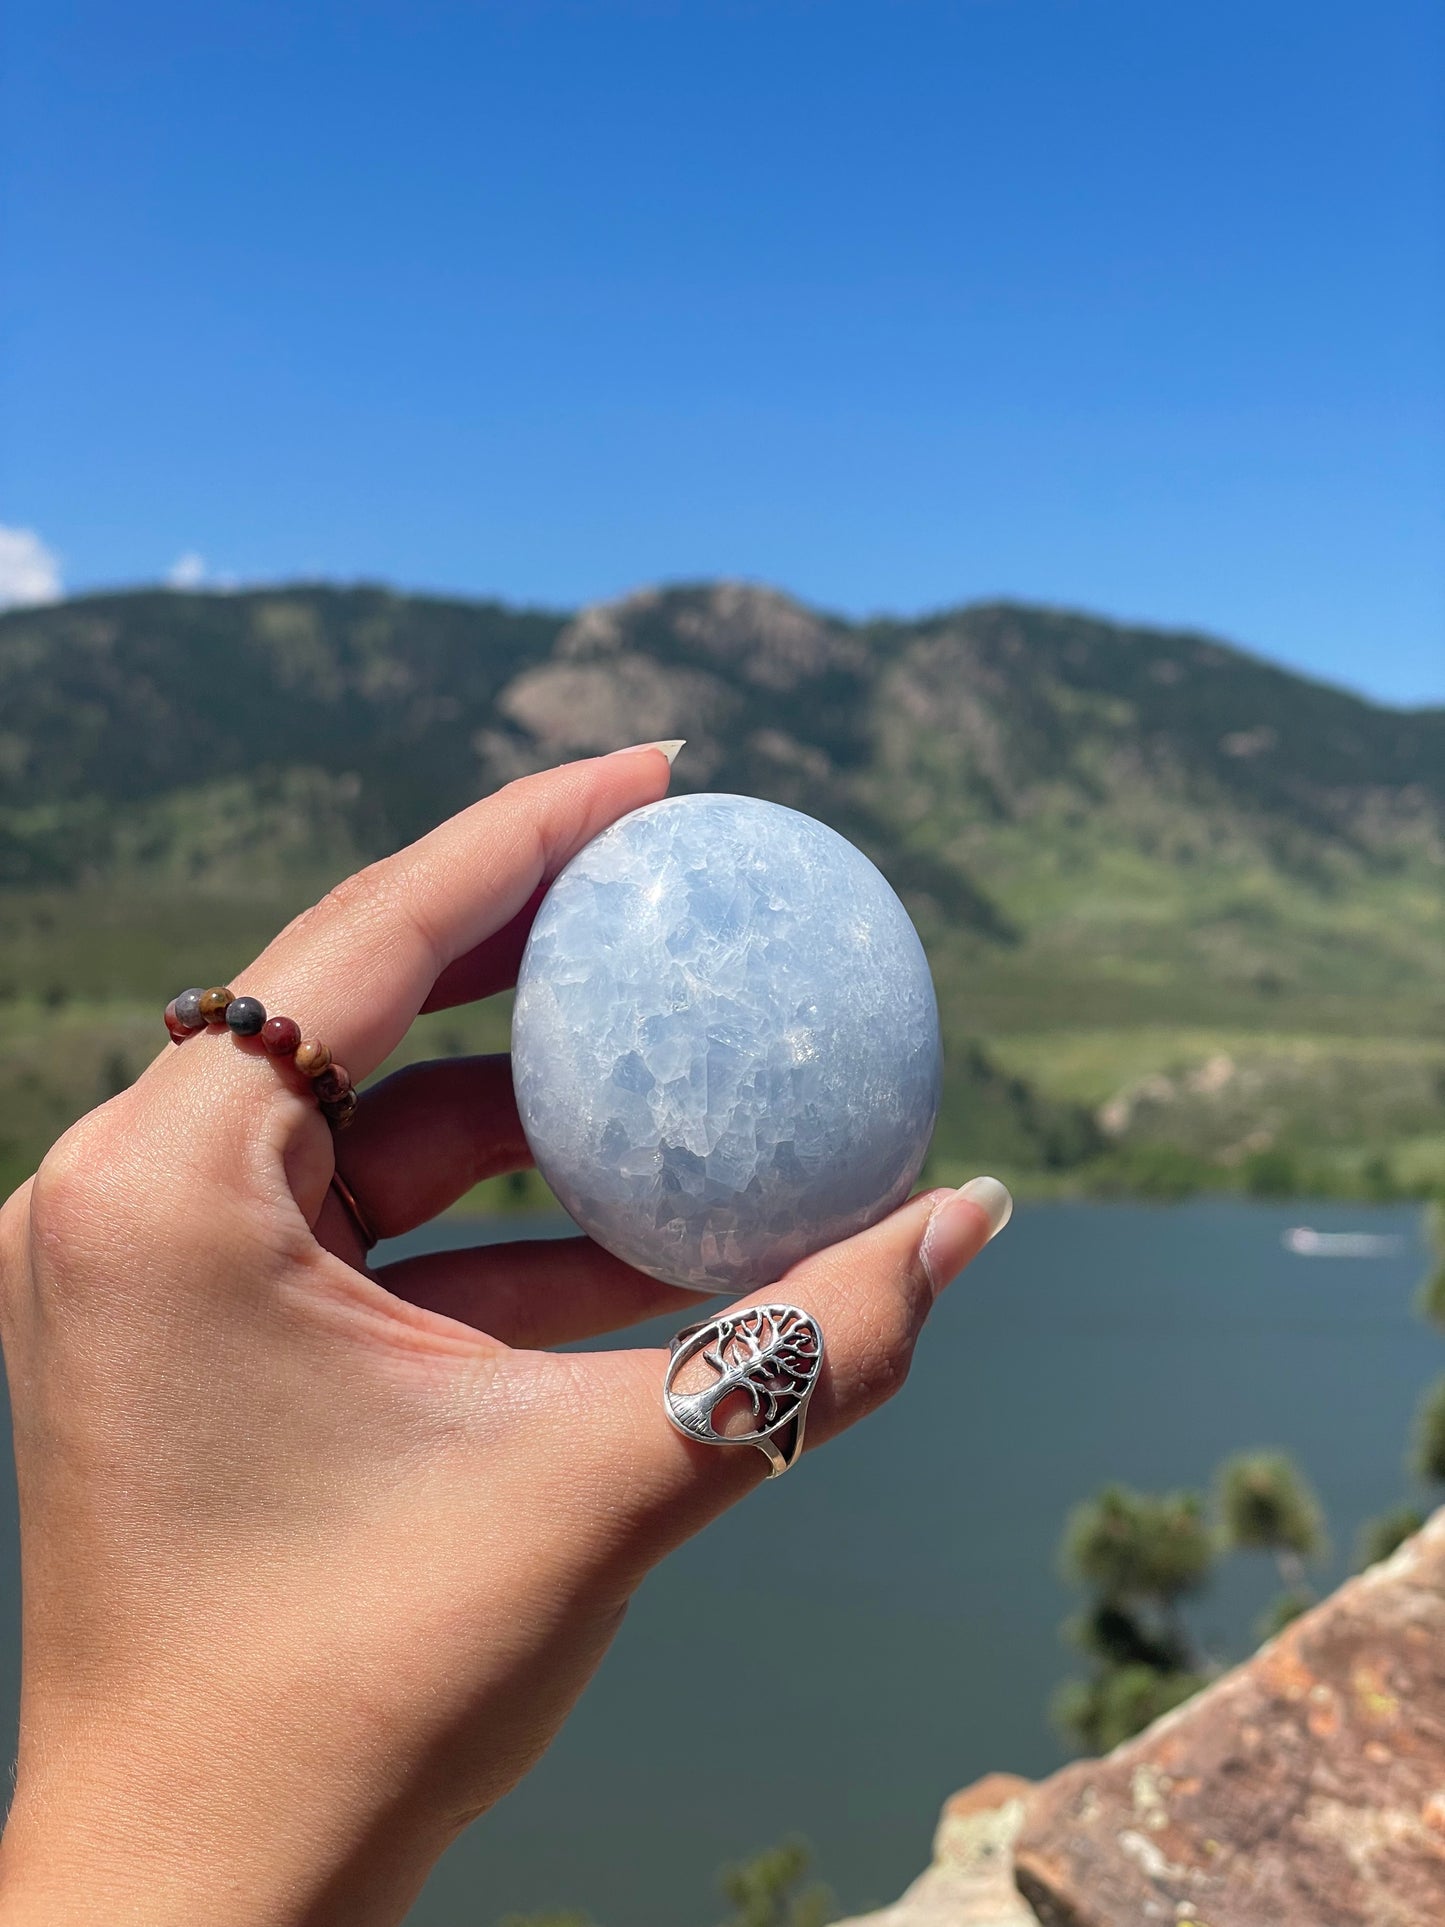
(885, 1620)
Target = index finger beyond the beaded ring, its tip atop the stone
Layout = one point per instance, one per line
(359, 966)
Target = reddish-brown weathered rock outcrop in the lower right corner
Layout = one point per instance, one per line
(1305, 1789)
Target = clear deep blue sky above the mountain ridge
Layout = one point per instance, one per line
(1130, 305)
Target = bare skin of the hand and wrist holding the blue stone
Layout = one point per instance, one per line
(315, 1560)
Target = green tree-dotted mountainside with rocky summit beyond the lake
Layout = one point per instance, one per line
(1186, 911)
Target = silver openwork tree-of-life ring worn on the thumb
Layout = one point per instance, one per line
(772, 1358)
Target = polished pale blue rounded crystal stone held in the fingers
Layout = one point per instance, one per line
(725, 1042)
